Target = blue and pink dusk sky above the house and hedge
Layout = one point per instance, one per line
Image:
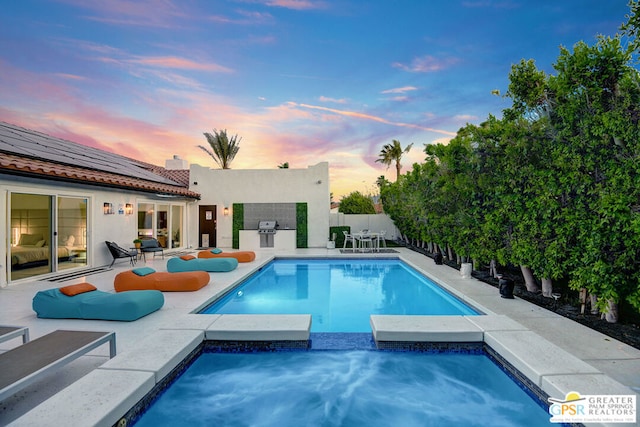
(301, 81)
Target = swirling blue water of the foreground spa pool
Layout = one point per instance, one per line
(344, 388)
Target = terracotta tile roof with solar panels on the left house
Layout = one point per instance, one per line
(34, 154)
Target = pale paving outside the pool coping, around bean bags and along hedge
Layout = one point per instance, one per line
(616, 360)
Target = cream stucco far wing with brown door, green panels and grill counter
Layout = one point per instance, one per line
(262, 194)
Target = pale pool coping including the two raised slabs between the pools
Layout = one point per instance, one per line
(104, 395)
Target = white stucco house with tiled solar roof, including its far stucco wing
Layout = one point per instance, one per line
(61, 201)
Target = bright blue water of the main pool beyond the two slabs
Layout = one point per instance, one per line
(340, 294)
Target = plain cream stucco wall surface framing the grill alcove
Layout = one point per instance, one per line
(224, 187)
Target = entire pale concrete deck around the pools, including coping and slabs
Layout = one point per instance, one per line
(555, 353)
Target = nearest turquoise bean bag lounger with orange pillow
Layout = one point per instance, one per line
(95, 304)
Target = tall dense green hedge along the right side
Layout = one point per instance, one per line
(552, 186)
